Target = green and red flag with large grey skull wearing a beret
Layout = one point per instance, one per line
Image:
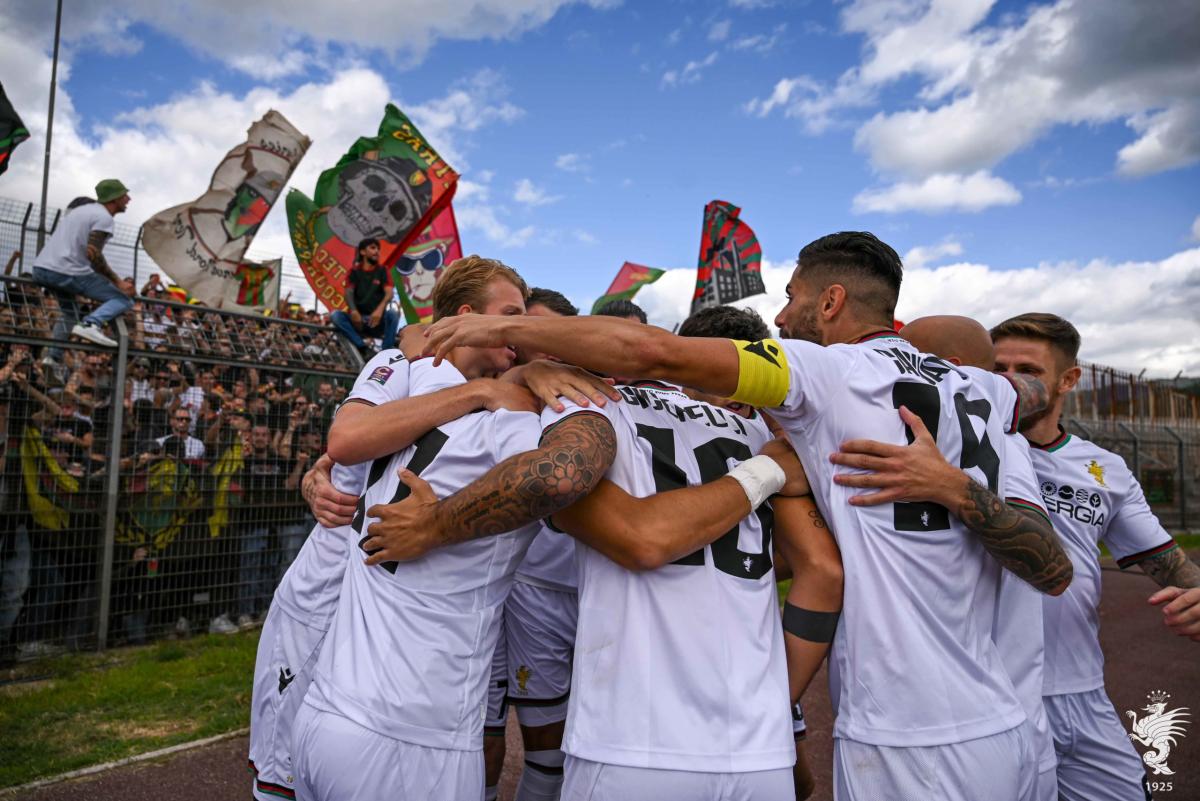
(389, 188)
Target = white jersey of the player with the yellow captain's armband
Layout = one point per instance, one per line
(913, 665)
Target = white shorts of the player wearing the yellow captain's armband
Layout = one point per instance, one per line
(998, 768)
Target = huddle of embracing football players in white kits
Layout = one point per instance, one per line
(586, 517)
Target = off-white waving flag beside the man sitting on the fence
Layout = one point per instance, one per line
(202, 244)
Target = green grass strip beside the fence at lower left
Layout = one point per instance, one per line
(87, 709)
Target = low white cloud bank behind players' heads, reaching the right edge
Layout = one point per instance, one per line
(1108, 303)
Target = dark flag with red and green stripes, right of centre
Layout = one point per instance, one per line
(730, 258)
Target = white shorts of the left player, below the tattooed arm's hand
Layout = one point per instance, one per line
(338, 760)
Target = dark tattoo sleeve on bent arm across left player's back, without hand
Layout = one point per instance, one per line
(568, 466)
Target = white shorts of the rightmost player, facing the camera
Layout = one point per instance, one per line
(1096, 760)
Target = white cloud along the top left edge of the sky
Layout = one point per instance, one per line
(274, 31)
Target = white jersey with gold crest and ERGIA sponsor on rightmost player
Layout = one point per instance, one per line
(1091, 496)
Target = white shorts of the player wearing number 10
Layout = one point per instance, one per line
(587, 781)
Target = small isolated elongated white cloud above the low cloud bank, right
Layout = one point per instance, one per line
(943, 192)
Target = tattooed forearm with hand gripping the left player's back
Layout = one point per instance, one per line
(573, 457)
